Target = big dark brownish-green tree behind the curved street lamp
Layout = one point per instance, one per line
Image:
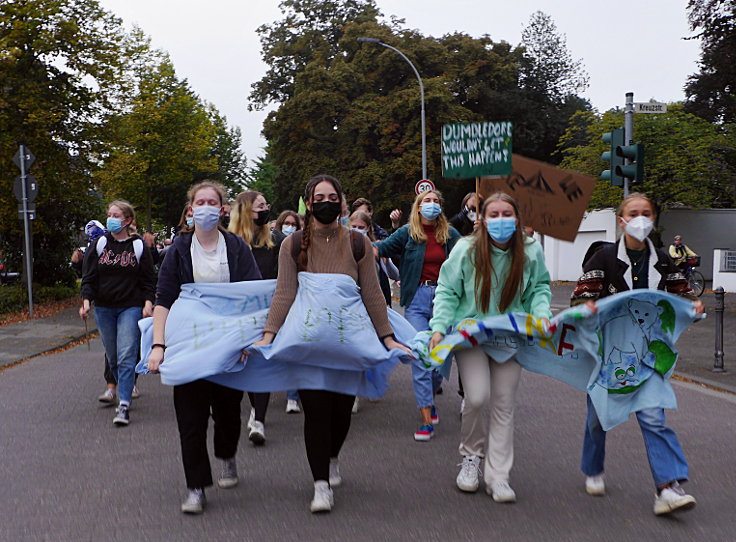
(352, 109)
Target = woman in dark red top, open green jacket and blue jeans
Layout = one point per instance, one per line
(423, 244)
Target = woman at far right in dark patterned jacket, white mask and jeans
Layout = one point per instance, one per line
(631, 263)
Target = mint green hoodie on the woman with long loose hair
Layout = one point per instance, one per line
(455, 296)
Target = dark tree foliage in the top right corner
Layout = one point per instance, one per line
(711, 93)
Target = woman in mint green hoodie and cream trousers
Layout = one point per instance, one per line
(495, 271)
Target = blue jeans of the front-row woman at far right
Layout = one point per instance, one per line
(666, 459)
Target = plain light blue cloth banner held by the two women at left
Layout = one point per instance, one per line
(327, 341)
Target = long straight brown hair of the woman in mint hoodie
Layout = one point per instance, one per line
(484, 263)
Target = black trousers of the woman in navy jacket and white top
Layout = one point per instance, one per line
(193, 403)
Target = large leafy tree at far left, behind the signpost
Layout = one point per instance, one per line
(60, 67)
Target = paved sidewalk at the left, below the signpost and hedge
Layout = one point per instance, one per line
(40, 335)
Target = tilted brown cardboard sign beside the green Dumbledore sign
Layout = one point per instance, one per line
(552, 200)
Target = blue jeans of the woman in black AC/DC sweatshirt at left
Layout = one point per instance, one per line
(121, 338)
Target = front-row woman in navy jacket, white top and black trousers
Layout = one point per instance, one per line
(207, 254)
